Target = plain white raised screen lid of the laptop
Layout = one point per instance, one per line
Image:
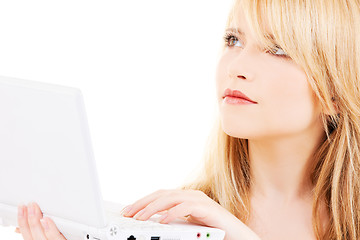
(46, 154)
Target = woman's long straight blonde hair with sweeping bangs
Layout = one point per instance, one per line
(323, 38)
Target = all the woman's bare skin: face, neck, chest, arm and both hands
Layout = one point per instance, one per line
(283, 129)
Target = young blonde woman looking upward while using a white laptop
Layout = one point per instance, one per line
(283, 164)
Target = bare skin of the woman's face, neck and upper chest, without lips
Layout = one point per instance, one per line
(283, 130)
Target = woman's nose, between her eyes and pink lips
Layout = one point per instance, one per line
(242, 65)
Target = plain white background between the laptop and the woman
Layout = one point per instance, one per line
(147, 73)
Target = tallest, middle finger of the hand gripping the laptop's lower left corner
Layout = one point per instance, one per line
(34, 216)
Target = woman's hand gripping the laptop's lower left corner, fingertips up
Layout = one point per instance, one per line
(33, 226)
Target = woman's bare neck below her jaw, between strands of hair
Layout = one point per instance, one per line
(280, 167)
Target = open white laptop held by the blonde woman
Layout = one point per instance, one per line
(45, 139)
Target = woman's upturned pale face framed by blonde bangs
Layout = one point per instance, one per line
(285, 103)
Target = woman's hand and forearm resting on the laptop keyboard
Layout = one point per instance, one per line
(195, 206)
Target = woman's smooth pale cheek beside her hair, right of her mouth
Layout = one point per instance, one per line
(289, 103)
